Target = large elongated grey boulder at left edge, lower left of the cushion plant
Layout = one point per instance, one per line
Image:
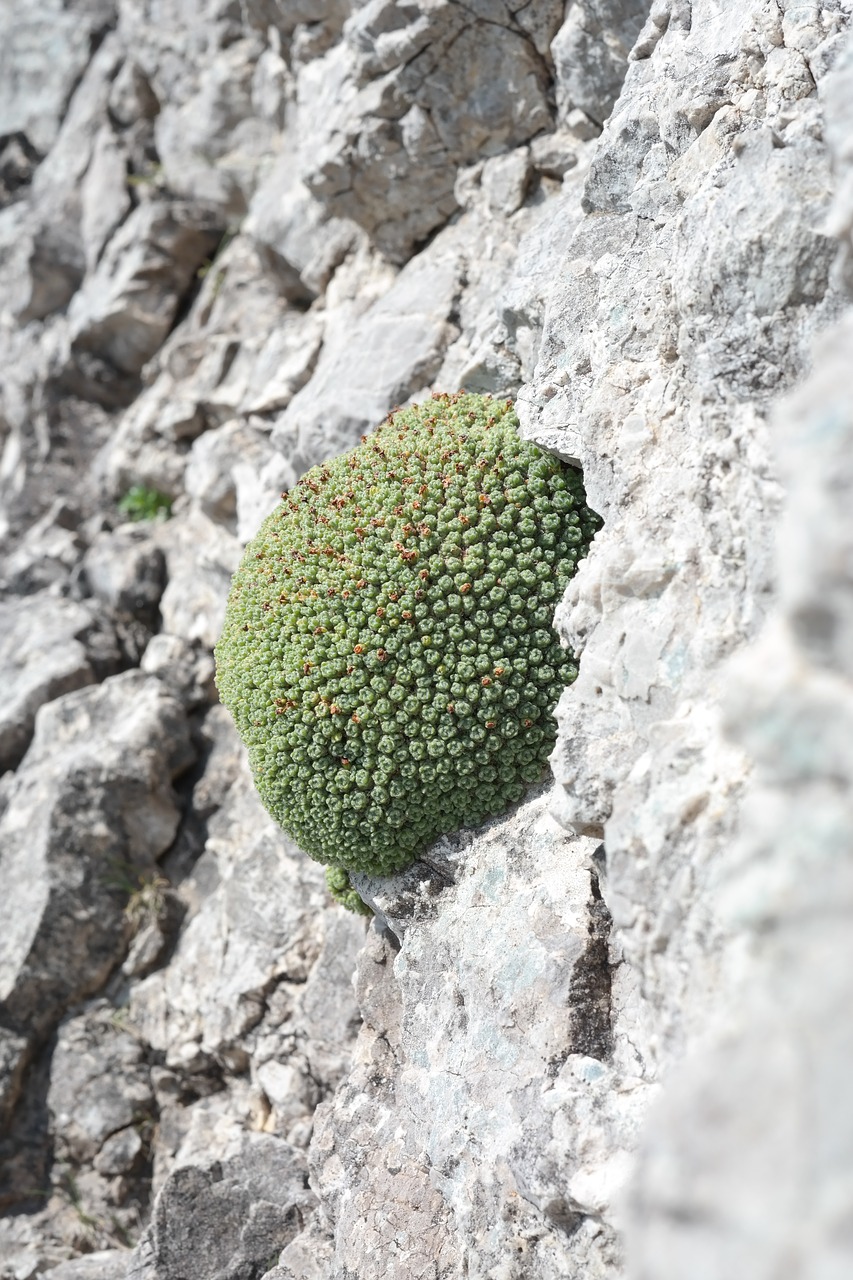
(92, 808)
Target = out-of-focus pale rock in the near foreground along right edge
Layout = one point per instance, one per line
(777, 1067)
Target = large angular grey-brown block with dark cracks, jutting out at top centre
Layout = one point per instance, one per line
(390, 115)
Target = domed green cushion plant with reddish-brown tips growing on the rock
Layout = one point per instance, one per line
(389, 652)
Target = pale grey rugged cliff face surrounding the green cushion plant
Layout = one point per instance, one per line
(609, 1035)
